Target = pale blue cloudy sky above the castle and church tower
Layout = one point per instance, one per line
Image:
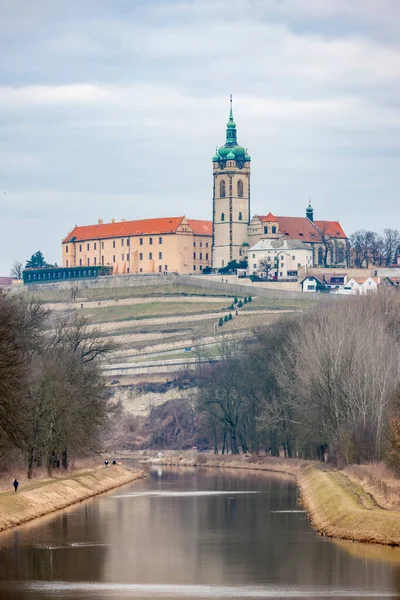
(114, 108)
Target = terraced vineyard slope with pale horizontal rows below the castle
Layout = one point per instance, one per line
(163, 329)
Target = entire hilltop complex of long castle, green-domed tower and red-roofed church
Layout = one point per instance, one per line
(178, 244)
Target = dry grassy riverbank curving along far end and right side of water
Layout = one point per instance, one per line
(337, 506)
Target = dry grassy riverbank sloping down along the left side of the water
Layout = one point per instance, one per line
(46, 496)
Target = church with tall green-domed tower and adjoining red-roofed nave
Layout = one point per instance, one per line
(234, 231)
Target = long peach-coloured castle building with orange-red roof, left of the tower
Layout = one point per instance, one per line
(164, 245)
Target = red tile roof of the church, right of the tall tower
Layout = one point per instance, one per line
(301, 228)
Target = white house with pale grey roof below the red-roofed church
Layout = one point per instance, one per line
(279, 258)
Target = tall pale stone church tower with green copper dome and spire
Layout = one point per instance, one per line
(231, 199)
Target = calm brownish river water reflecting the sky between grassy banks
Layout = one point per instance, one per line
(191, 534)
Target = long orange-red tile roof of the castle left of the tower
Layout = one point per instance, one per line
(124, 229)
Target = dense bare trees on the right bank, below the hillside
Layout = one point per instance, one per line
(323, 383)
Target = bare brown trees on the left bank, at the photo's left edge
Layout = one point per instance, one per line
(53, 399)
